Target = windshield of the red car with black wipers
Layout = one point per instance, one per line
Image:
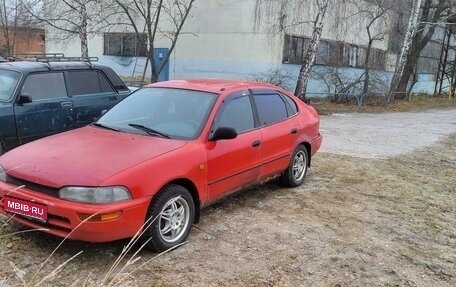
(161, 112)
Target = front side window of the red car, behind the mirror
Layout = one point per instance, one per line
(237, 113)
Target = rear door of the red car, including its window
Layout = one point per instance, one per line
(279, 130)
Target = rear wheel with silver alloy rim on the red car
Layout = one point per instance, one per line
(295, 174)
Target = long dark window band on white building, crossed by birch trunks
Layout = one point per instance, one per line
(332, 53)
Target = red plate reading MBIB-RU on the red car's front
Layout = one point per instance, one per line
(25, 208)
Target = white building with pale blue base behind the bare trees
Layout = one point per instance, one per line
(227, 39)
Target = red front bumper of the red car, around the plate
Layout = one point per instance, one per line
(63, 219)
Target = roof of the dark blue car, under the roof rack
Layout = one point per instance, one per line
(29, 66)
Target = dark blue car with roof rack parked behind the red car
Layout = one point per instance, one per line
(39, 99)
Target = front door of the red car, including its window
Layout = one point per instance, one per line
(234, 163)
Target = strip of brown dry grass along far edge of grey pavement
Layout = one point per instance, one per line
(418, 103)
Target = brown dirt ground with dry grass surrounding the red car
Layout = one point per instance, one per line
(359, 220)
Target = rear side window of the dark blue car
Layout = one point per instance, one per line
(87, 82)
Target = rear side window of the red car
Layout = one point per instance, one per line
(271, 108)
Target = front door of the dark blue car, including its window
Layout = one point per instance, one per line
(49, 110)
